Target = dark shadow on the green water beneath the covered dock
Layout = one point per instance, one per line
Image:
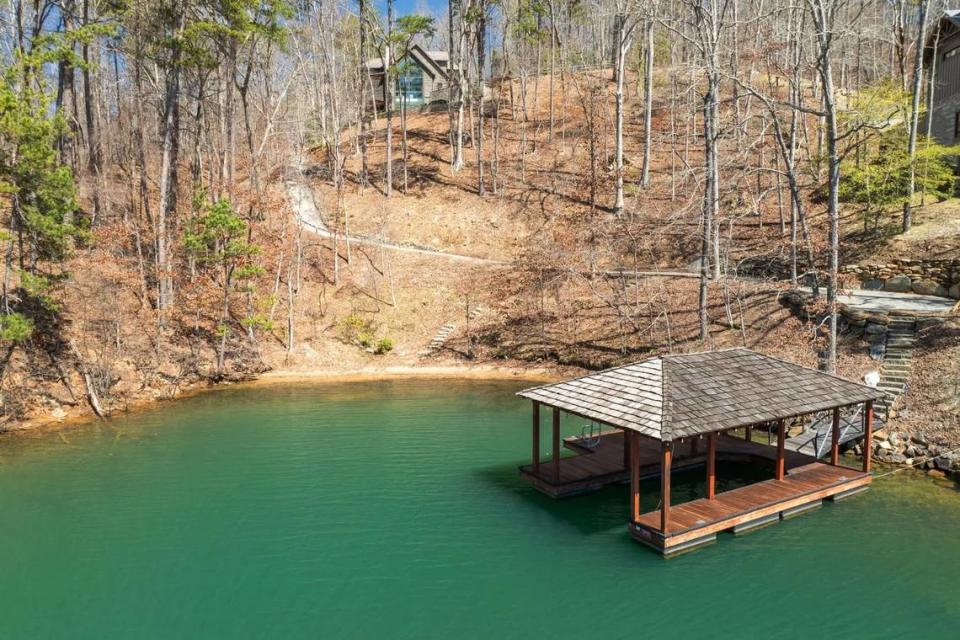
(607, 509)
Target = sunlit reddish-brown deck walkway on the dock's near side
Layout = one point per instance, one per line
(693, 524)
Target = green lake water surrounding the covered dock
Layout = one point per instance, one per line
(394, 510)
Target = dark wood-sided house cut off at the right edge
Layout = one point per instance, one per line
(943, 62)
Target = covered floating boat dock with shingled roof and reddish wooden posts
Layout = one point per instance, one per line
(691, 410)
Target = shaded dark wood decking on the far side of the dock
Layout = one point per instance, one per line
(594, 468)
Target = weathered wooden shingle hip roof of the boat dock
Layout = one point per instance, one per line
(677, 396)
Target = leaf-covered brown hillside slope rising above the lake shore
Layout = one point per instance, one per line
(562, 293)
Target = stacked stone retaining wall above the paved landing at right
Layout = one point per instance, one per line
(926, 276)
